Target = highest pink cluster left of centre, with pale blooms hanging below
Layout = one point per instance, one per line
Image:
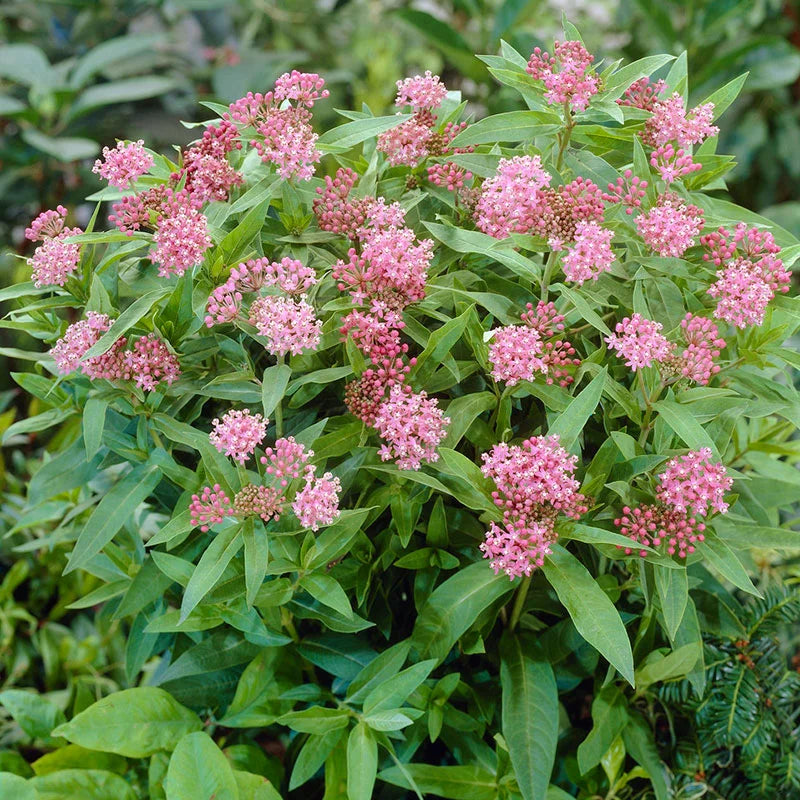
(285, 137)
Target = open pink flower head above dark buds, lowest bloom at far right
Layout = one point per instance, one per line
(693, 483)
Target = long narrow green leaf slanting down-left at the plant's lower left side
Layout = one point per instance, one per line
(113, 511)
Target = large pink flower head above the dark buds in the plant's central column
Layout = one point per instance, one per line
(392, 267)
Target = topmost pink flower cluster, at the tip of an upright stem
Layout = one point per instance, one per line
(566, 75)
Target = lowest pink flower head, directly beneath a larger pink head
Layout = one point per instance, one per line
(519, 548)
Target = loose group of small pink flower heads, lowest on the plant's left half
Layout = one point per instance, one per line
(316, 503)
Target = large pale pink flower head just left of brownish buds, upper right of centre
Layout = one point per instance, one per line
(510, 201)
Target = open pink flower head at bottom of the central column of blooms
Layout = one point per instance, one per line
(412, 426)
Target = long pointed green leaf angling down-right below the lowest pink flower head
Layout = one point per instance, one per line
(591, 610)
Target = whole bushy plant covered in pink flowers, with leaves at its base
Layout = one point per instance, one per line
(416, 479)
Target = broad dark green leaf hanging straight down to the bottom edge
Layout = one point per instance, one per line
(529, 715)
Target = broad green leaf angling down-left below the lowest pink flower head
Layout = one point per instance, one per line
(454, 606)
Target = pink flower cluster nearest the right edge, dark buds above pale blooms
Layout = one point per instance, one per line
(750, 273)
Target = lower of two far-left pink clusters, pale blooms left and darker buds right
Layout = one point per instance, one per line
(147, 361)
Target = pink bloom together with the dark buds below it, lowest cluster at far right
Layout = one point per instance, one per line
(690, 488)
